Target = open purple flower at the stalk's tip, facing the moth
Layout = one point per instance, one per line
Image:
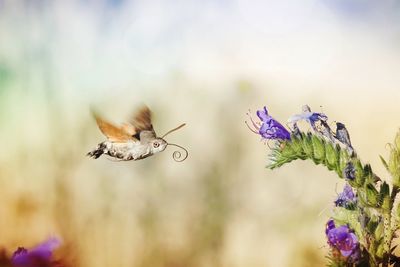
(269, 128)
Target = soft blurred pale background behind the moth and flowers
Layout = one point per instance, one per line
(200, 62)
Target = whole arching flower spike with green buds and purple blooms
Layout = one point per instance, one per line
(366, 212)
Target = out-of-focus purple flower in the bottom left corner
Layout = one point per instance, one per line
(39, 256)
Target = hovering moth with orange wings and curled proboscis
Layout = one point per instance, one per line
(135, 140)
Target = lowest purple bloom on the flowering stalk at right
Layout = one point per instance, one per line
(342, 239)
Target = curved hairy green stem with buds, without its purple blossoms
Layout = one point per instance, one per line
(359, 176)
